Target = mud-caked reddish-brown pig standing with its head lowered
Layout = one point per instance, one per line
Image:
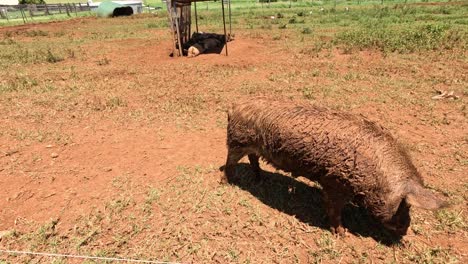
(352, 158)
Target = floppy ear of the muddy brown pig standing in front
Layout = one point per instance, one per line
(423, 198)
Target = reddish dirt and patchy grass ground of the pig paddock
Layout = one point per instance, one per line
(111, 148)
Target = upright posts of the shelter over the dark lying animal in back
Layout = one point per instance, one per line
(179, 12)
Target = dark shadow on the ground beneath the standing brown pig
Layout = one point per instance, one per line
(305, 202)
